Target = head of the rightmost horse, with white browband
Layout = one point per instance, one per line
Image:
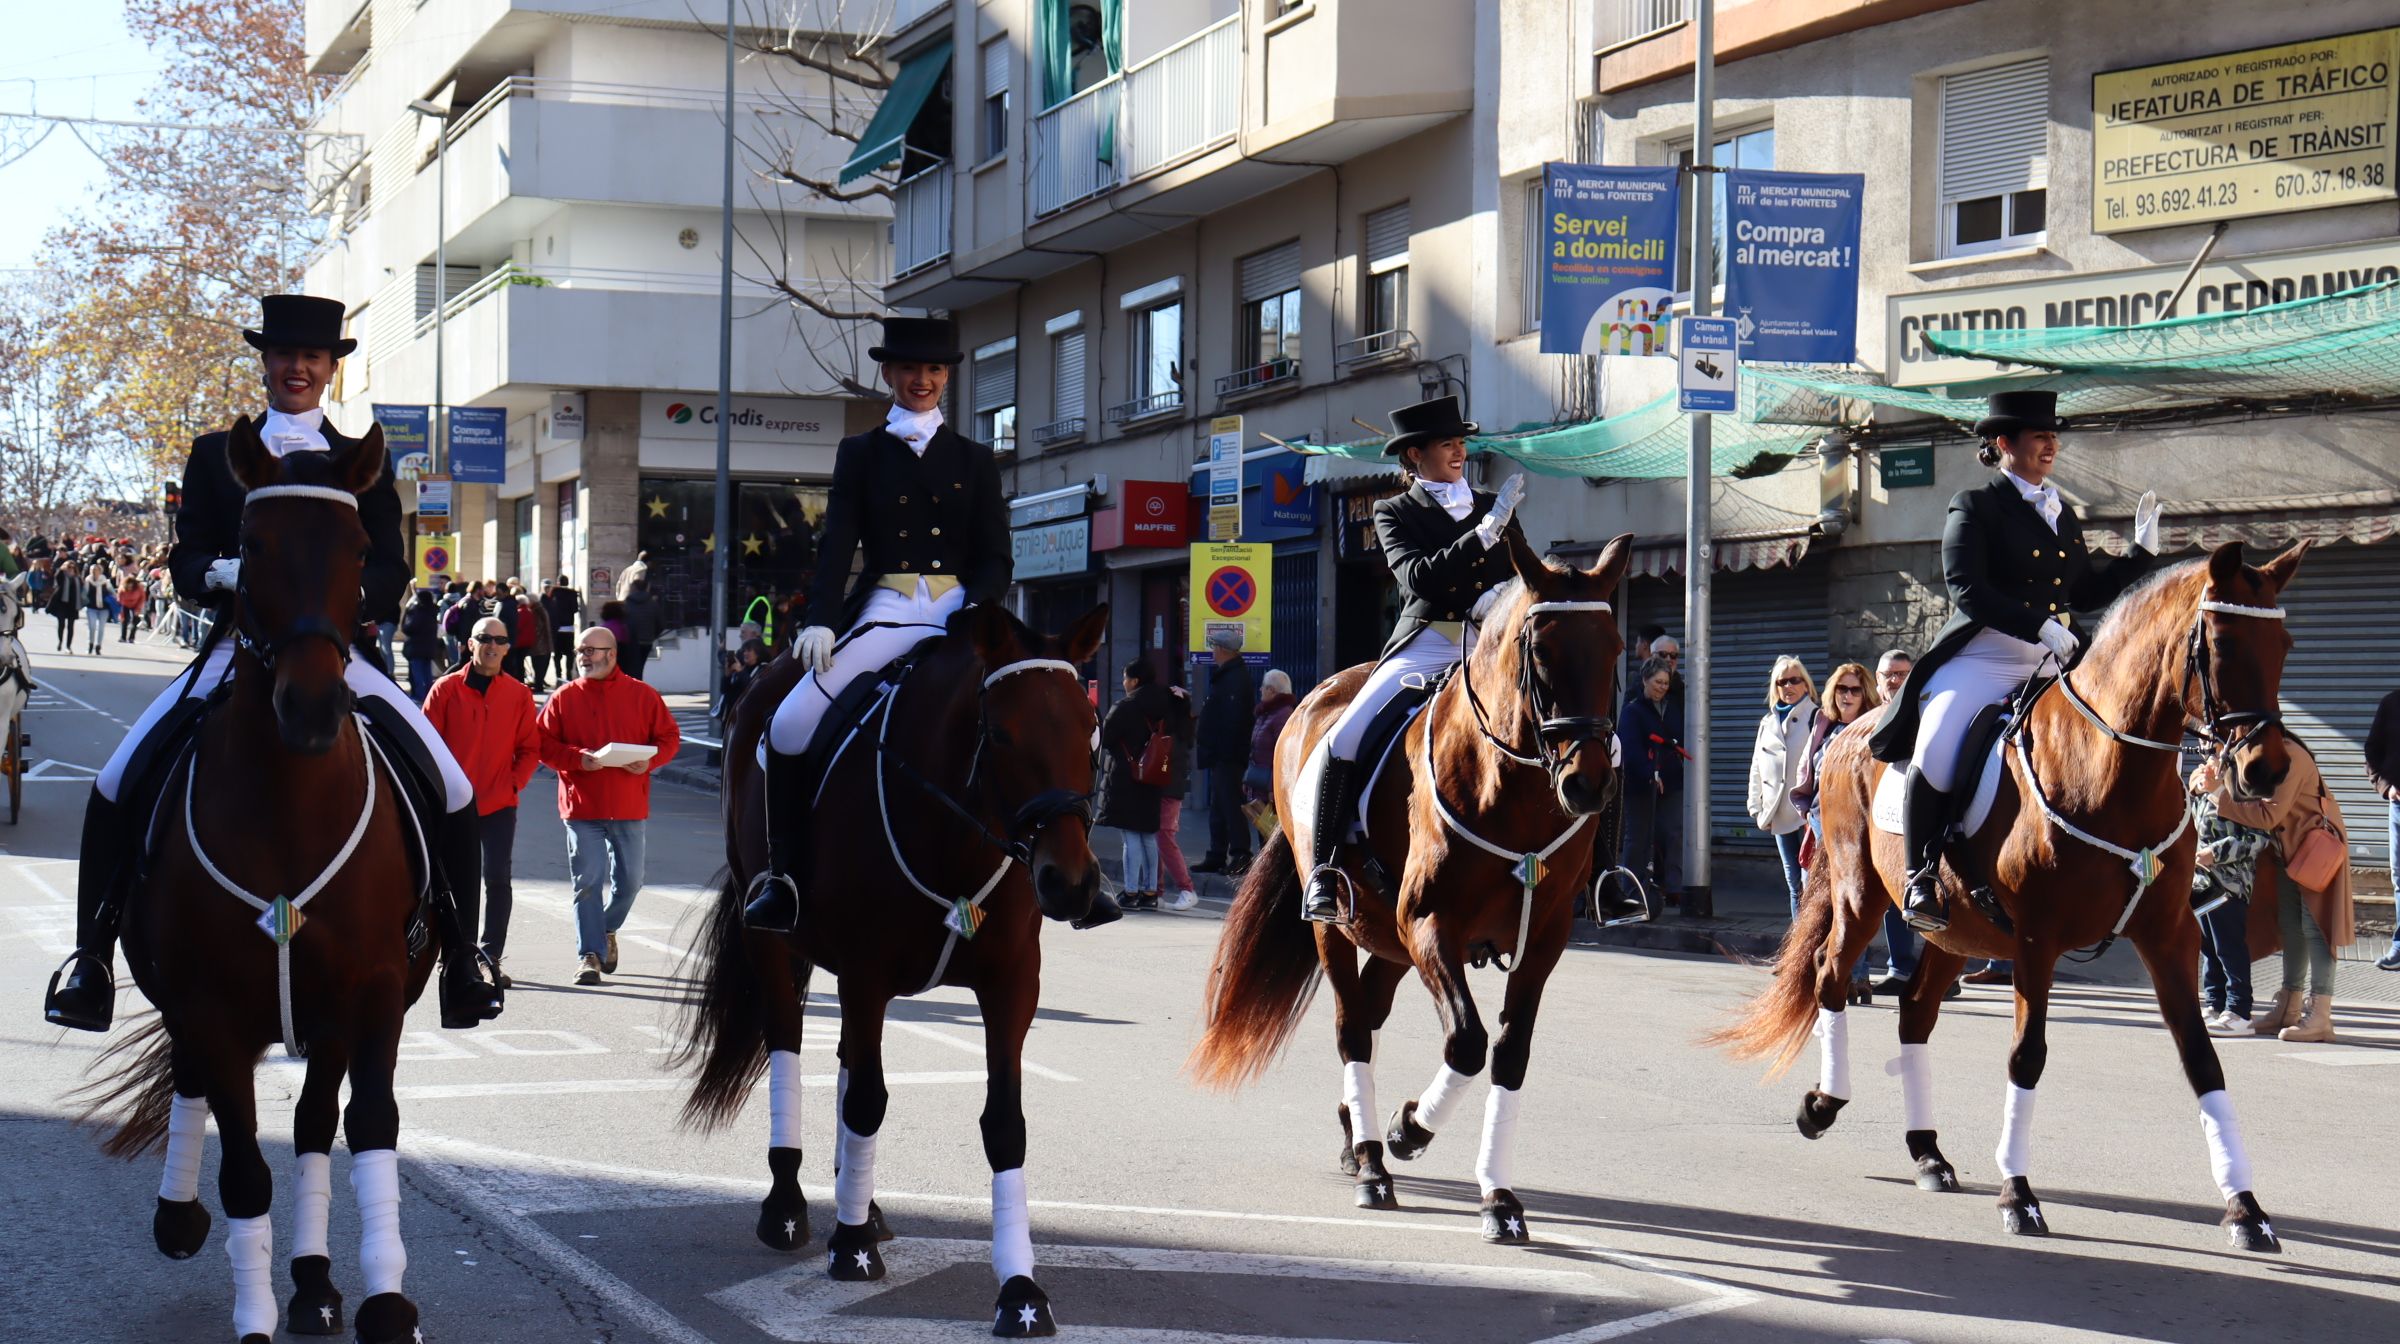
(2236, 668)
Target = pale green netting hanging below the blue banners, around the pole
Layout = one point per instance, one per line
(1650, 443)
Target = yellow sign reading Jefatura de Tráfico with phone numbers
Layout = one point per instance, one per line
(2267, 131)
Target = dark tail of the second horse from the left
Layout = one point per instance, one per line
(721, 1033)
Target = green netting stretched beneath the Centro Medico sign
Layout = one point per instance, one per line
(2344, 344)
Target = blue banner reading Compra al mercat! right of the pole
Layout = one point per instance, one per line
(1792, 265)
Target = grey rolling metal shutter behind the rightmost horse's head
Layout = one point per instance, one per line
(2346, 659)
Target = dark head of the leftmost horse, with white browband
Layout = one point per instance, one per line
(304, 556)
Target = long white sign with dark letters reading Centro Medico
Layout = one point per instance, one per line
(2118, 299)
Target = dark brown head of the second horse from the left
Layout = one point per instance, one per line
(1036, 752)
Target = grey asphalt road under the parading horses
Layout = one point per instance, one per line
(553, 1201)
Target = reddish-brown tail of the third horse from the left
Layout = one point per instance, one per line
(1264, 976)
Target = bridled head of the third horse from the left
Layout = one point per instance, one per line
(1561, 644)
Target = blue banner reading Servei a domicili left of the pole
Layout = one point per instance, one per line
(1609, 260)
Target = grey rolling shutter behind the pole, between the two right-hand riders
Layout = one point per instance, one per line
(1756, 616)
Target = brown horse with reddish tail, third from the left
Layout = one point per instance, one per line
(1484, 817)
